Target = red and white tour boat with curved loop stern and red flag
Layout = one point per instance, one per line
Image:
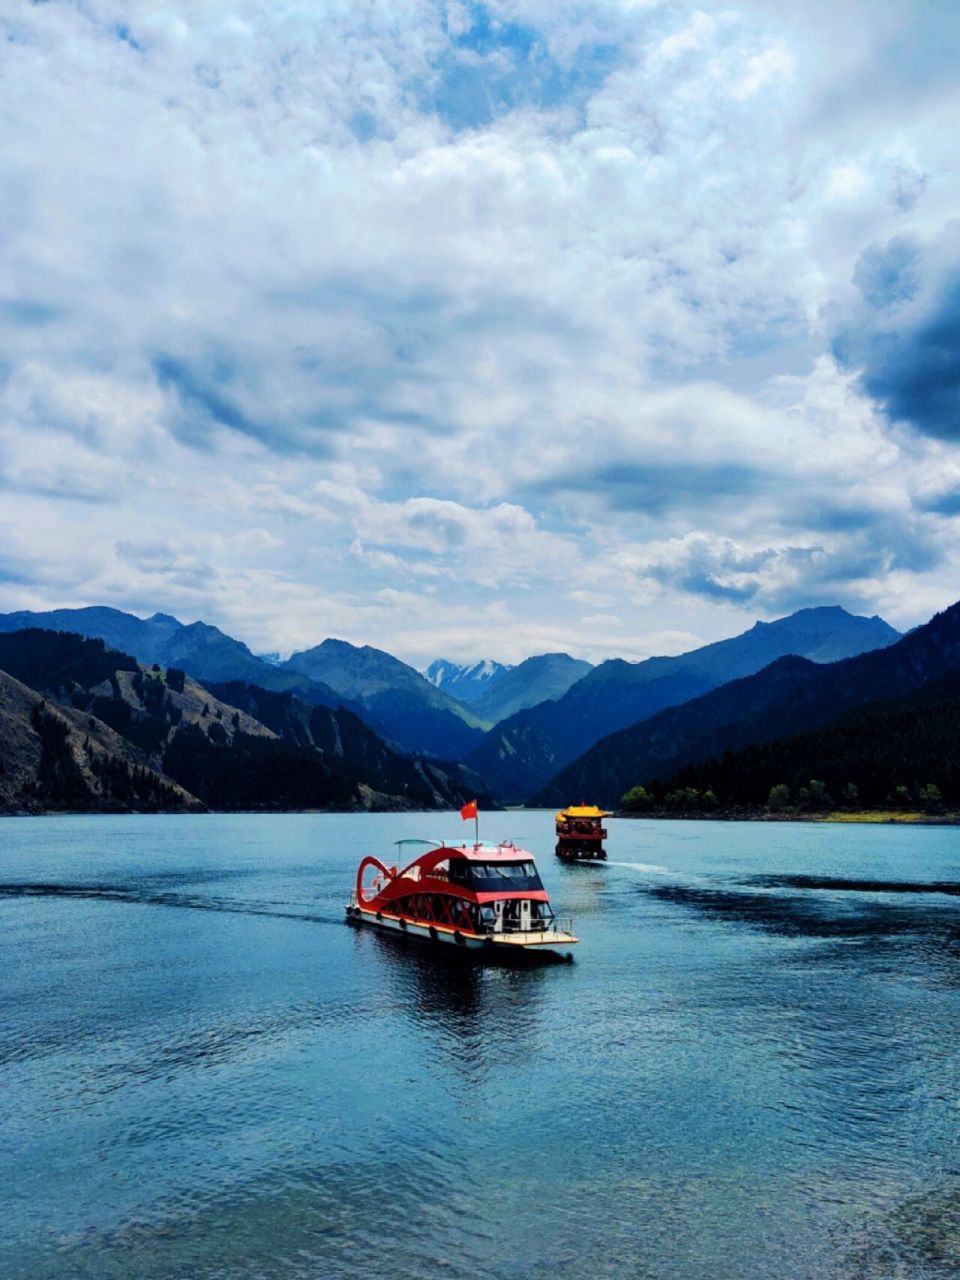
(473, 897)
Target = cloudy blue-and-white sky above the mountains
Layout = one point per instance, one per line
(478, 331)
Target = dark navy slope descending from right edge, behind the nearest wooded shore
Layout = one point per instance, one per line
(789, 697)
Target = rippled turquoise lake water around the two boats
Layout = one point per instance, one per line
(752, 1069)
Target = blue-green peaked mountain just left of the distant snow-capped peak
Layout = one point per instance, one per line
(396, 700)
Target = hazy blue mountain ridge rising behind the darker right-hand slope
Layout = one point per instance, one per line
(523, 753)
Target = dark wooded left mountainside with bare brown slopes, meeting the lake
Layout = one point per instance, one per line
(113, 735)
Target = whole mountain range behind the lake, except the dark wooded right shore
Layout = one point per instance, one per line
(348, 726)
